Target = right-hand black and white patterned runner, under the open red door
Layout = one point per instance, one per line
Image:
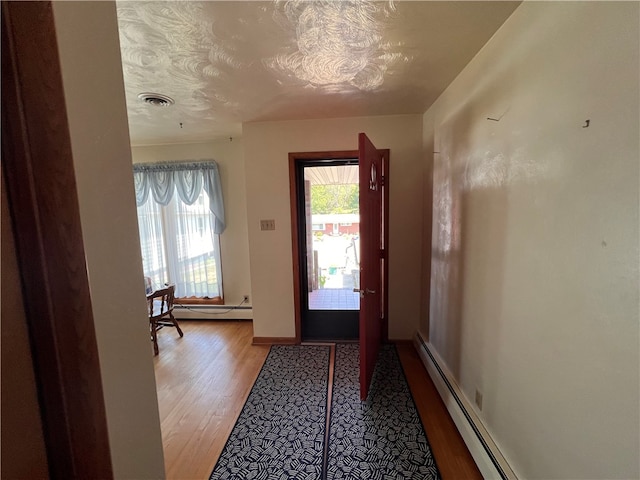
(381, 438)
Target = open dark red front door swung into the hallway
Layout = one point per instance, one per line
(371, 241)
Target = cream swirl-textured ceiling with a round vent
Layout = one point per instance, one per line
(225, 63)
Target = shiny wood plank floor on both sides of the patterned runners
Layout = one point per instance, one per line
(204, 378)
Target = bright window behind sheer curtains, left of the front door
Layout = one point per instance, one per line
(179, 242)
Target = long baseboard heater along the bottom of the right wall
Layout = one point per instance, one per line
(483, 449)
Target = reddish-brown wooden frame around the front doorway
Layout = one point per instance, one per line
(300, 158)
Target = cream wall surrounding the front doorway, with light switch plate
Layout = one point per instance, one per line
(267, 145)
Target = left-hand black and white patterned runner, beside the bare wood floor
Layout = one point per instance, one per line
(280, 431)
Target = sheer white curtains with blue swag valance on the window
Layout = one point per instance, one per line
(179, 233)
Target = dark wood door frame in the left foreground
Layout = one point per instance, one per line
(42, 198)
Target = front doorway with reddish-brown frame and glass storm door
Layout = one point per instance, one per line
(339, 273)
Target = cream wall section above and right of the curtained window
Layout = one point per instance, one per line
(234, 243)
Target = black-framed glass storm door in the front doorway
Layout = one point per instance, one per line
(327, 204)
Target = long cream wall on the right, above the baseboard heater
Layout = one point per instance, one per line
(534, 282)
